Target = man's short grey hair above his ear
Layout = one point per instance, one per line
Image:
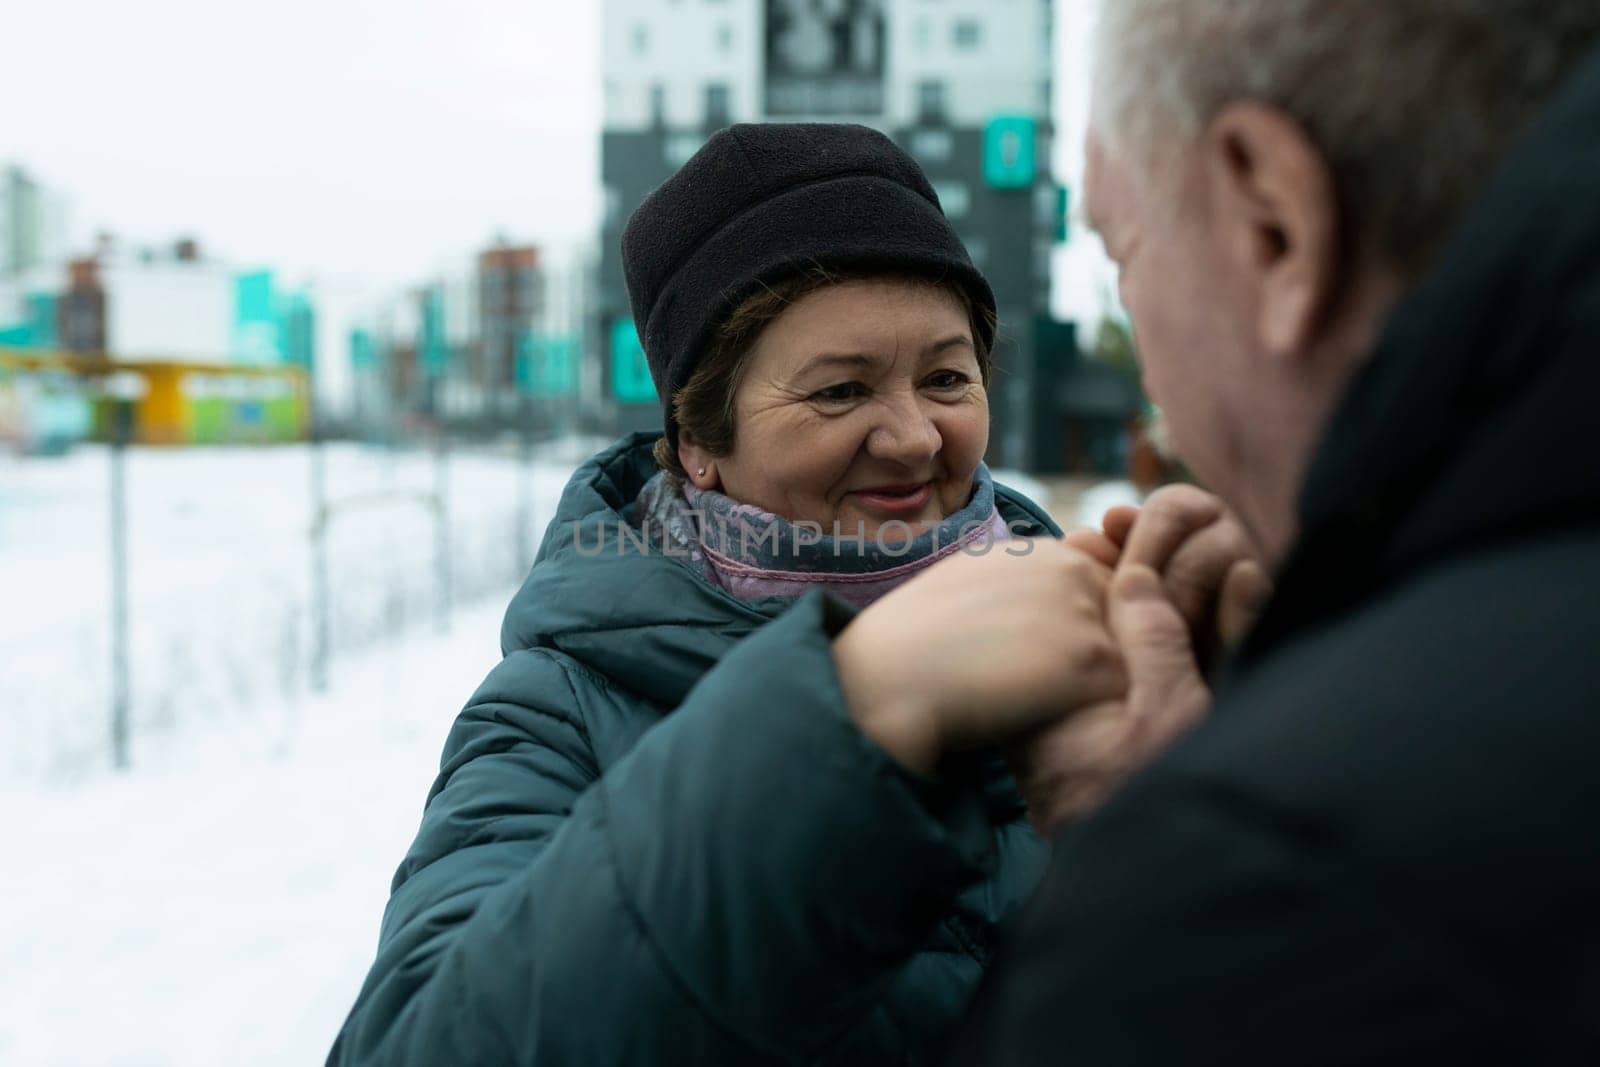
(1414, 103)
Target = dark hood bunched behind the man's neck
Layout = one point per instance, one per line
(1466, 426)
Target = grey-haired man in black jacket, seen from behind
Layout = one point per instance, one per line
(1361, 246)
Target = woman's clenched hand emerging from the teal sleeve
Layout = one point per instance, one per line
(982, 652)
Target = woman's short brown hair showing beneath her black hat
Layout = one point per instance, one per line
(703, 407)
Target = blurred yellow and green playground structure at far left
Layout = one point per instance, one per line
(50, 401)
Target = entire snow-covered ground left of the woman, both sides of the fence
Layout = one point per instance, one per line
(220, 901)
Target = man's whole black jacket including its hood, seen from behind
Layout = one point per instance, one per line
(1385, 844)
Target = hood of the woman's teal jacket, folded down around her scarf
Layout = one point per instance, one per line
(644, 621)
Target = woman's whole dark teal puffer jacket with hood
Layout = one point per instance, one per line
(658, 839)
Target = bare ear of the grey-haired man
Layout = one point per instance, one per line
(1274, 196)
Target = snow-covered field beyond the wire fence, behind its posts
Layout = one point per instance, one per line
(220, 573)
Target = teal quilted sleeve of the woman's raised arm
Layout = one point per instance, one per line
(742, 887)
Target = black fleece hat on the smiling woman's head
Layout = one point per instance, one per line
(764, 201)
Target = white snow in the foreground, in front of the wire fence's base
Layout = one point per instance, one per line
(220, 905)
